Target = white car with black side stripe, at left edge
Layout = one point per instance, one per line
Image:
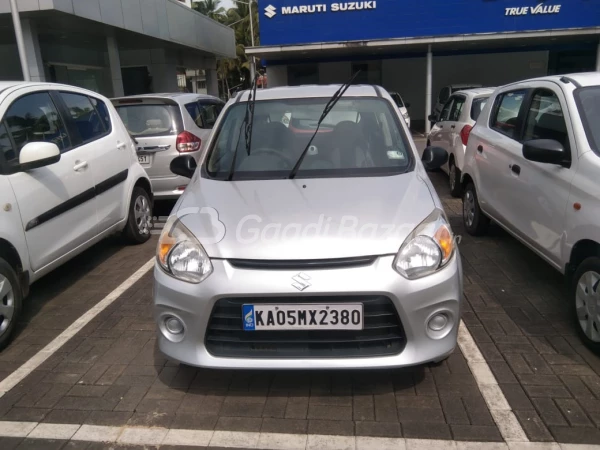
(69, 176)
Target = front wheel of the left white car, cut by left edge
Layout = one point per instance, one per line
(11, 300)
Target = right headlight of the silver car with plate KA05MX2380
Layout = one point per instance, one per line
(427, 249)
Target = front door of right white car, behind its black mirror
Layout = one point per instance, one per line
(540, 191)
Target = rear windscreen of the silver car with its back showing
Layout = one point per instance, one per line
(147, 119)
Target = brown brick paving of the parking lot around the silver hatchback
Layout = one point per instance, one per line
(112, 374)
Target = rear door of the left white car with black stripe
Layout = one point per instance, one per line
(104, 148)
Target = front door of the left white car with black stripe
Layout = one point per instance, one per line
(56, 202)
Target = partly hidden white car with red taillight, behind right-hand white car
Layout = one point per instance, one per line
(451, 131)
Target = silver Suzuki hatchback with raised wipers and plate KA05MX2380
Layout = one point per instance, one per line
(310, 236)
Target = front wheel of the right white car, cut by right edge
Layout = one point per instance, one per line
(585, 302)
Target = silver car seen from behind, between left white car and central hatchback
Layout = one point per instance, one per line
(165, 126)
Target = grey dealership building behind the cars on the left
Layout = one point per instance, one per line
(115, 47)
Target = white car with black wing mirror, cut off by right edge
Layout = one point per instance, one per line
(533, 165)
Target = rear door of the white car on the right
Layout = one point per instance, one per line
(497, 144)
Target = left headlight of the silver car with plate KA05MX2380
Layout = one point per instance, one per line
(181, 255)
